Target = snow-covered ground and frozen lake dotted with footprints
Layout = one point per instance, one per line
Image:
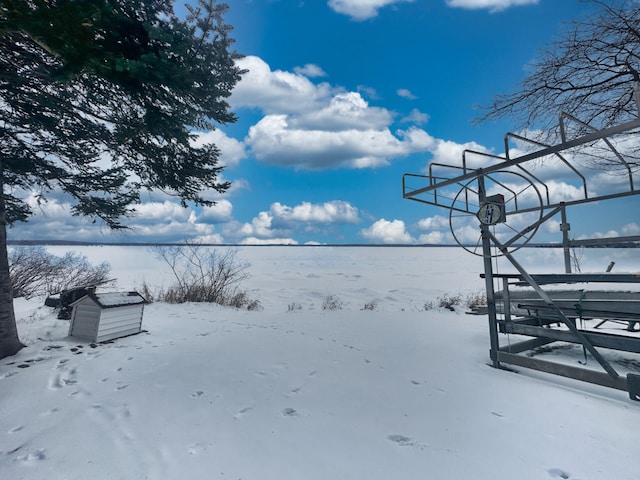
(295, 392)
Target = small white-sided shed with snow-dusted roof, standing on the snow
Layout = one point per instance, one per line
(98, 317)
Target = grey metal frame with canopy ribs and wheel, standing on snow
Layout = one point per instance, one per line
(473, 200)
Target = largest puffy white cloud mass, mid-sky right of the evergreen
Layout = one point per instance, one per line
(311, 126)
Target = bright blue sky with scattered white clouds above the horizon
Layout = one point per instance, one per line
(341, 99)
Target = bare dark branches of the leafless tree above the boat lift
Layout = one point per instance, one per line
(590, 72)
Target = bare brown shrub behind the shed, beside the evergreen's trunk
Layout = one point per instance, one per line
(34, 271)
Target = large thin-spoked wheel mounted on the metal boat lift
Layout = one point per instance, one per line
(512, 209)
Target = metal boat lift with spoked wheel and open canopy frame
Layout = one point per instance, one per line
(510, 197)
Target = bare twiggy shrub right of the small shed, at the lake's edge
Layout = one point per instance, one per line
(203, 274)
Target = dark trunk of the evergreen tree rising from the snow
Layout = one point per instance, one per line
(9, 342)
